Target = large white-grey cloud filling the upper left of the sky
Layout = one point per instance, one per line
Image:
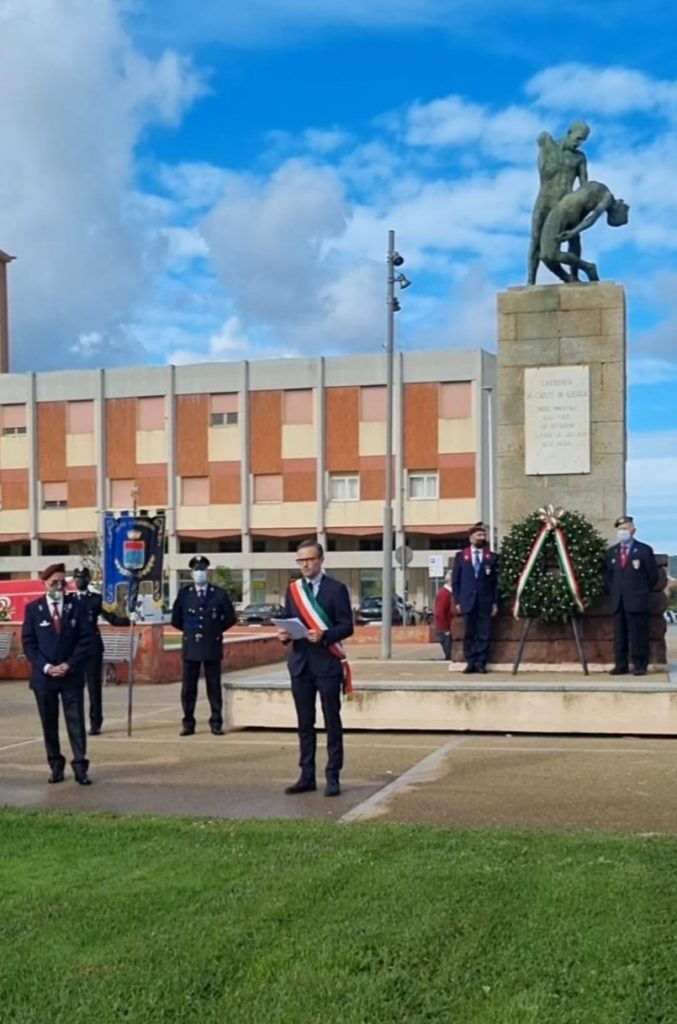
(75, 98)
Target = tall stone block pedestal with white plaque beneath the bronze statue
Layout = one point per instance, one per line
(562, 402)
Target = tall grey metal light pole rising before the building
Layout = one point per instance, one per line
(387, 586)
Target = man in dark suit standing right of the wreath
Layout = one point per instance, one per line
(631, 576)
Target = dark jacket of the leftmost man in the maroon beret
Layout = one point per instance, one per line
(44, 646)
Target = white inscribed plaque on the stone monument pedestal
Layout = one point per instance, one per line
(557, 420)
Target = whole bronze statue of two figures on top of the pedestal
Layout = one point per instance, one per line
(562, 212)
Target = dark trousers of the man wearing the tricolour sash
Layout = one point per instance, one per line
(305, 691)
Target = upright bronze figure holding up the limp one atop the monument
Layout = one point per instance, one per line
(561, 164)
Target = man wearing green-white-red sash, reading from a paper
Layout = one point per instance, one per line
(315, 664)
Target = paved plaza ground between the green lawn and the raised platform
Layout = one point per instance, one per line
(469, 781)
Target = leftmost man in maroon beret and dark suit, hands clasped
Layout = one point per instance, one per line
(56, 638)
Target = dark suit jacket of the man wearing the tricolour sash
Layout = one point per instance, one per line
(334, 599)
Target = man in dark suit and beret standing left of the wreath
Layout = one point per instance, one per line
(476, 587)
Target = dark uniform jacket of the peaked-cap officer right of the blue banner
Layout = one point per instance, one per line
(203, 623)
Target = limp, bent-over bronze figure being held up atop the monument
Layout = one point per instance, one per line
(573, 215)
